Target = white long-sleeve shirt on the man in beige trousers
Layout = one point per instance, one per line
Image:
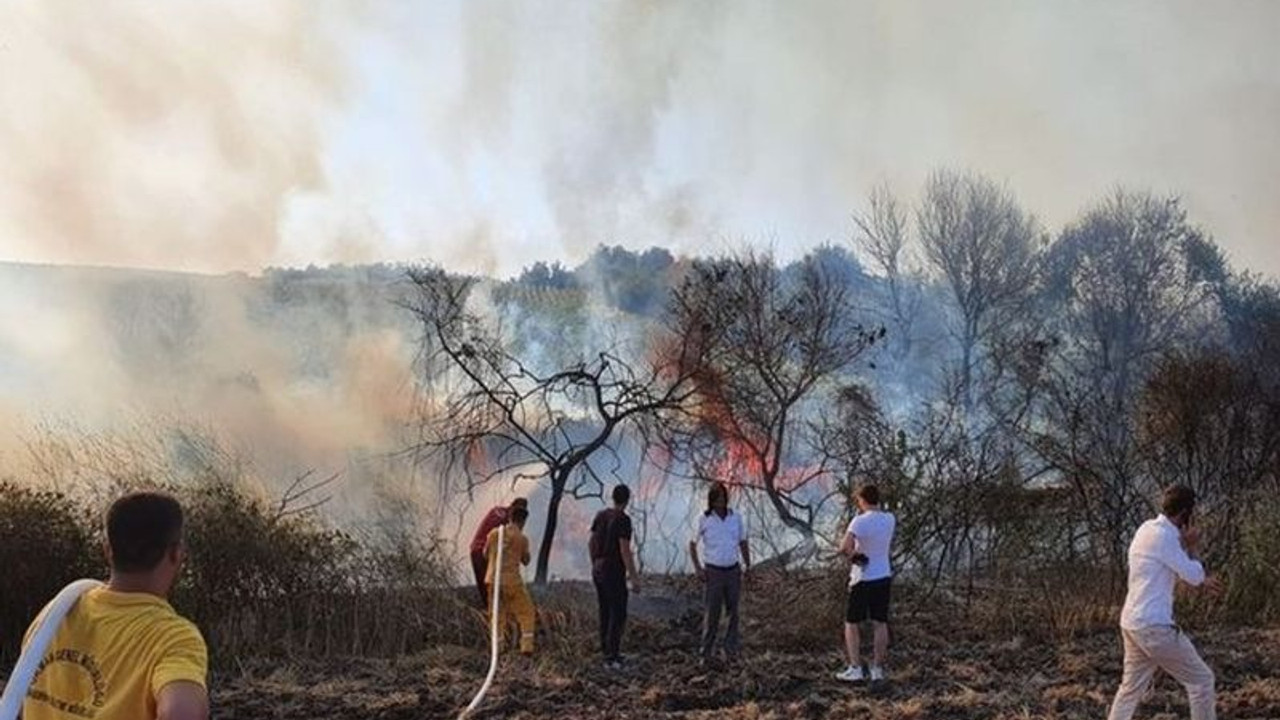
(1156, 562)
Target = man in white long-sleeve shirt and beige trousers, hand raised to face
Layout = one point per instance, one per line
(1163, 553)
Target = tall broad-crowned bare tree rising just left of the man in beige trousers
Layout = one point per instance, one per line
(1123, 291)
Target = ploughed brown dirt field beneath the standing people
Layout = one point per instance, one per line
(940, 668)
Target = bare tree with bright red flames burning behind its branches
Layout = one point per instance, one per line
(769, 341)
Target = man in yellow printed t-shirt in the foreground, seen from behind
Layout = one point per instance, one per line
(122, 653)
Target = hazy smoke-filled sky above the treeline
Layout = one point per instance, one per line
(217, 136)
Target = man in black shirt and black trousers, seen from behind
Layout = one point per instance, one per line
(612, 564)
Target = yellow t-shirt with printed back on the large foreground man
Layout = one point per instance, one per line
(112, 657)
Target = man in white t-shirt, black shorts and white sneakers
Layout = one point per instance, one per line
(867, 544)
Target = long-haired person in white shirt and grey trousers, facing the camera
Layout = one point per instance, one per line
(723, 537)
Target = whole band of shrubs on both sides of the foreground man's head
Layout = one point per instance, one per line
(259, 580)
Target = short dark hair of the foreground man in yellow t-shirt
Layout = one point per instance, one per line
(141, 527)
